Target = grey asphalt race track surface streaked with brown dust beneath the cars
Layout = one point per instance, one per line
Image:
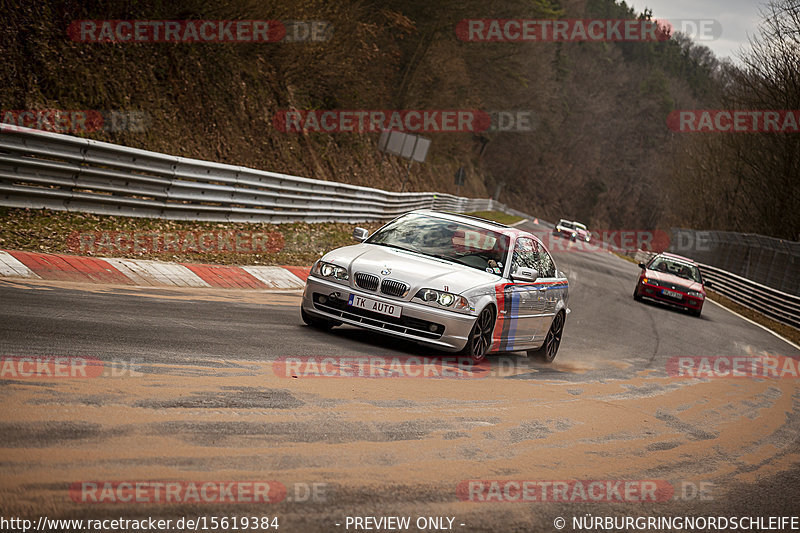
(196, 397)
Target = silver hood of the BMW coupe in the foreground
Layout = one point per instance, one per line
(417, 270)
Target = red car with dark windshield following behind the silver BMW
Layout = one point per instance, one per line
(674, 280)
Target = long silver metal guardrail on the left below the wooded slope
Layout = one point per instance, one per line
(41, 169)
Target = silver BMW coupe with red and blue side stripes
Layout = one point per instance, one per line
(453, 282)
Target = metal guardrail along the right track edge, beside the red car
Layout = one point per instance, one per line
(777, 305)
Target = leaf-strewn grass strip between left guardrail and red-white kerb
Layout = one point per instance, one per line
(170, 240)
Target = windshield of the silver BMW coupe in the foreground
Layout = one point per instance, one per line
(446, 239)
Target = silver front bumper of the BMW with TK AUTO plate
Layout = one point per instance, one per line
(445, 330)
